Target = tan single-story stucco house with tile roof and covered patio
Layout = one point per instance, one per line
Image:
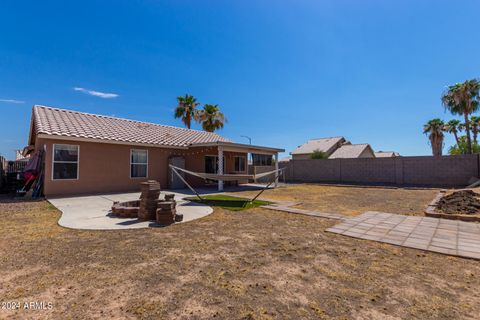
(87, 153)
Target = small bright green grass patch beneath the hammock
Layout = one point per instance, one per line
(229, 202)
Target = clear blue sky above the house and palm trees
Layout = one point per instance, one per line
(283, 72)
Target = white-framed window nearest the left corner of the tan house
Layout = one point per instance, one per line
(65, 162)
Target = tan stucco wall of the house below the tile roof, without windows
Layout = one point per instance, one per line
(105, 168)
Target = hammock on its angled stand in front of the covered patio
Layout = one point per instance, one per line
(225, 177)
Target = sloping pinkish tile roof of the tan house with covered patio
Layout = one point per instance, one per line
(68, 123)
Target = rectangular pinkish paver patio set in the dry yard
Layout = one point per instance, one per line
(450, 237)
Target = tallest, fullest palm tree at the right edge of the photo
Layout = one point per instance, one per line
(463, 99)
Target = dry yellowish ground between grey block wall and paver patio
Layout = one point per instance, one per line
(352, 200)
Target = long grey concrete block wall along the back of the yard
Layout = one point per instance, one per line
(444, 171)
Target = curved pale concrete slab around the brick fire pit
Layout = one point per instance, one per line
(92, 212)
